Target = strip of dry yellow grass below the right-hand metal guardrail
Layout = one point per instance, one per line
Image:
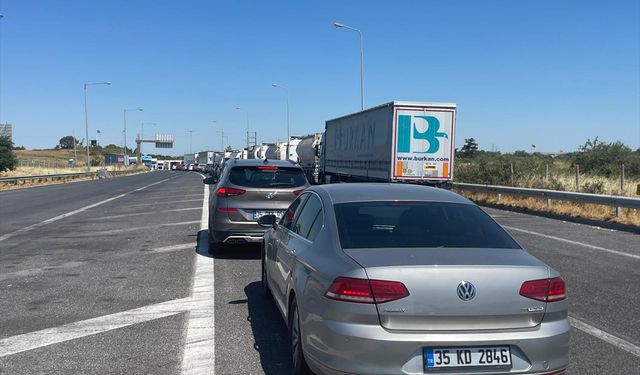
(627, 216)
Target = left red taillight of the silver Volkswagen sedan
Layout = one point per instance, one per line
(349, 289)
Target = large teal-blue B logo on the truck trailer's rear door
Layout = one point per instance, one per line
(406, 130)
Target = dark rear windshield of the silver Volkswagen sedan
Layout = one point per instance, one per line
(418, 224)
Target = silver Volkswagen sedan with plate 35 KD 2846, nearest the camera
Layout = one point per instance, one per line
(405, 279)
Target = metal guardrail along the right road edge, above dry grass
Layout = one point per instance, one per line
(608, 200)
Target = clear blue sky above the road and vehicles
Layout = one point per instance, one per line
(550, 73)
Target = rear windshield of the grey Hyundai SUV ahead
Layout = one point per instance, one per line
(267, 177)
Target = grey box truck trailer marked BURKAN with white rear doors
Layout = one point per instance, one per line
(395, 142)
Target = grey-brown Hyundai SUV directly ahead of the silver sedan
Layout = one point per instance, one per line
(246, 191)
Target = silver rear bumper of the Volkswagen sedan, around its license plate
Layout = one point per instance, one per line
(339, 348)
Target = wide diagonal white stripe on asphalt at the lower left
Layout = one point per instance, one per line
(89, 327)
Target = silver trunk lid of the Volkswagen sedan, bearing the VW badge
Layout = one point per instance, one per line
(433, 276)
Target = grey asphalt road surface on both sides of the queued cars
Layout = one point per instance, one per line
(109, 277)
